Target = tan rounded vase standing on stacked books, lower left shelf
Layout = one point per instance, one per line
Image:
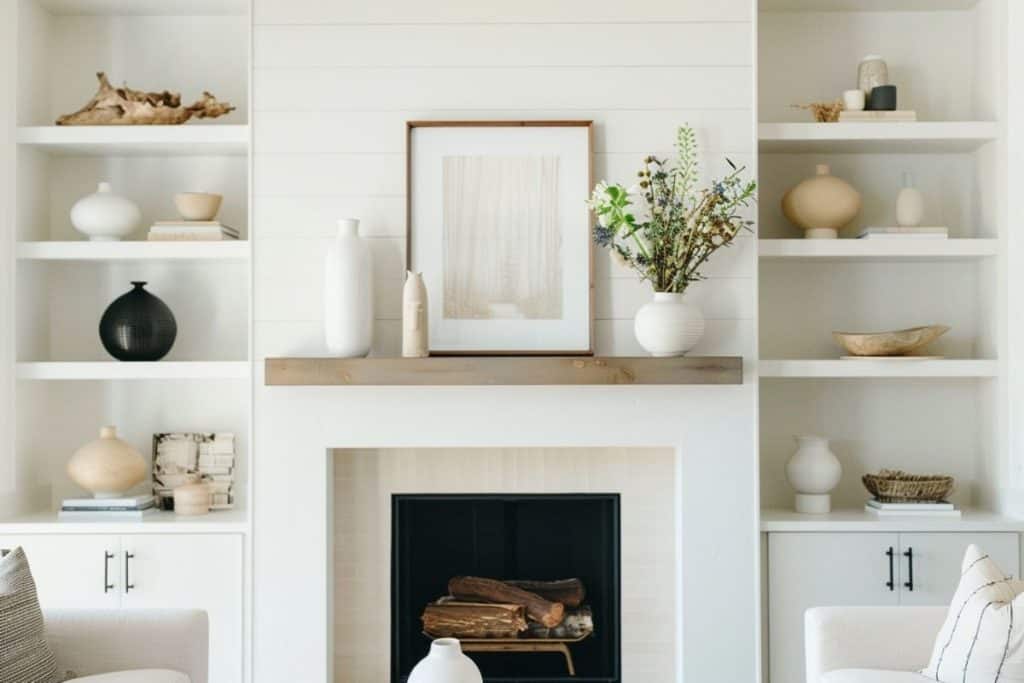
(107, 467)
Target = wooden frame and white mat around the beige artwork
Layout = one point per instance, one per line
(583, 341)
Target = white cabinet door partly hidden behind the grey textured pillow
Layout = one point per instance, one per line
(72, 571)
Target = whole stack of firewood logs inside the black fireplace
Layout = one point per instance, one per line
(479, 608)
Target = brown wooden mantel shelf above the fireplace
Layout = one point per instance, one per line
(470, 371)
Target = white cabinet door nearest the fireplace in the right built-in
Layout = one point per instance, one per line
(822, 570)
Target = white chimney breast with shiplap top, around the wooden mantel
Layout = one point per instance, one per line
(334, 84)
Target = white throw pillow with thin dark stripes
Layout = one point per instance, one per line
(983, 639)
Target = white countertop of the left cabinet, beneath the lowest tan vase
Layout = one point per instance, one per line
(221, 522)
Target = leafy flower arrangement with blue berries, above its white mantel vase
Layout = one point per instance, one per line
(681, 226)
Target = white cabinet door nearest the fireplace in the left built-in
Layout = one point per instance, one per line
(201, 572)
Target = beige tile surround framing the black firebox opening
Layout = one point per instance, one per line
(646, 479)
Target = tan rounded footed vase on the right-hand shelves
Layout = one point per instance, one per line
(823, 205)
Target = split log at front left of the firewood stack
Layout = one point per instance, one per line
(449, 619)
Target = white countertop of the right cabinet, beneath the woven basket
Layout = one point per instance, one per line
(861, 521)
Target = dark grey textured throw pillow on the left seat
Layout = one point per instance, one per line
(25, 657)
